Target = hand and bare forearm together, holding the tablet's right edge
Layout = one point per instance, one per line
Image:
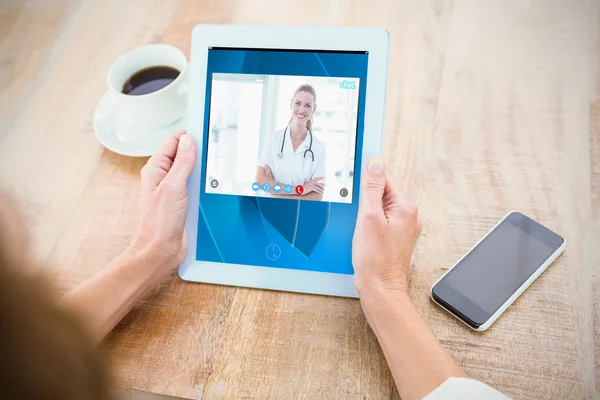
(387, 229)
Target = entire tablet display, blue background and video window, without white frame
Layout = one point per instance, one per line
(281, 157)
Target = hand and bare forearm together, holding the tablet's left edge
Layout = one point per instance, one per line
(158, 246)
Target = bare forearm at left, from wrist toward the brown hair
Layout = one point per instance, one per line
(105, 298)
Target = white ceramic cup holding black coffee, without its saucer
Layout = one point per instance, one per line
(156, 109)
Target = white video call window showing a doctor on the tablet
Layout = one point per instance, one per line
(282, 136)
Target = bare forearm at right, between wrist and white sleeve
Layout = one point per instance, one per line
(417, 360)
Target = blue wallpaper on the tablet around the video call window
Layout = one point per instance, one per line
(271, 232)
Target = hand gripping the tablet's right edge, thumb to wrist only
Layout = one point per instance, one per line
(387, 229)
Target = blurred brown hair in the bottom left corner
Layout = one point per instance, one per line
(45, 352)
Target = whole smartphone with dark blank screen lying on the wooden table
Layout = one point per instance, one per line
(494, 273)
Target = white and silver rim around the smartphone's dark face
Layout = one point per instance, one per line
(515, 295)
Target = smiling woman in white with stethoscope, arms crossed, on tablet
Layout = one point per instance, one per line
(292, 155)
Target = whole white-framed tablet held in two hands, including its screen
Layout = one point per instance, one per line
(284, 120)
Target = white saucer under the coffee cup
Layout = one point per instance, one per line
(121, 136)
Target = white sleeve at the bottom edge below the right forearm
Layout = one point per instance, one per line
(464, 389)
